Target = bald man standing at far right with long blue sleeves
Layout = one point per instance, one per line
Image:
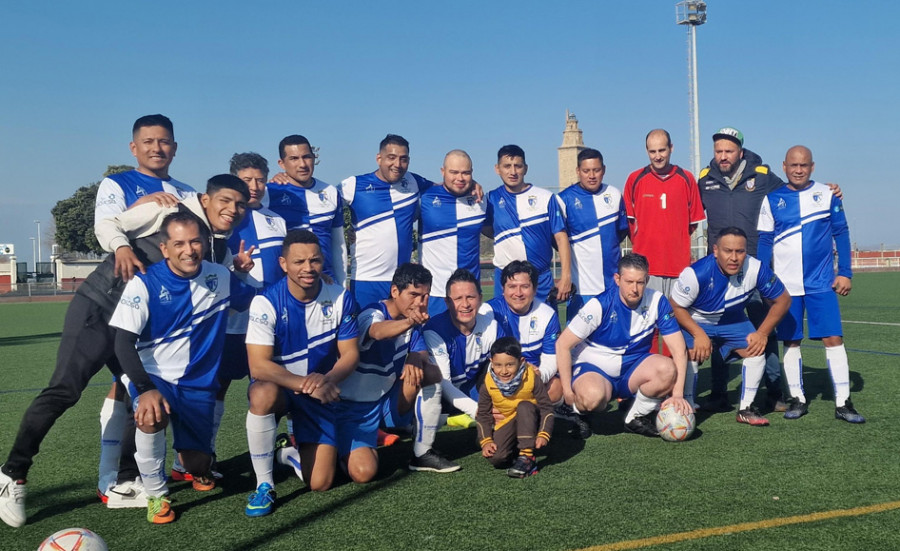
(797, 225)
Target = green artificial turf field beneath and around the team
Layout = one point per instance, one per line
(814, 483)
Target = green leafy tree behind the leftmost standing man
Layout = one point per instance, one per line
(74, 217)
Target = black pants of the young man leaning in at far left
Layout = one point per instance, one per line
(86, 346)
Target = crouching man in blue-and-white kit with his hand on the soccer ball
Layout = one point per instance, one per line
(609, 344)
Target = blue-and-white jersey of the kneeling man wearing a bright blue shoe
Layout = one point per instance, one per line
(303, 335)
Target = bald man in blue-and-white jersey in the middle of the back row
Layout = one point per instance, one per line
(450, 227)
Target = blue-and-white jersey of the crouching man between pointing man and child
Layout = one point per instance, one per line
(459, 356)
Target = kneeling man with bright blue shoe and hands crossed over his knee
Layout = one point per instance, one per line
(301, 343)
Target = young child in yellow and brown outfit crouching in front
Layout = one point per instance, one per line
(512, 386)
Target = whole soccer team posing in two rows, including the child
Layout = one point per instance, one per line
(255, 277)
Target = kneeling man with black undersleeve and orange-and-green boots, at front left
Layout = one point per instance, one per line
(170, 334)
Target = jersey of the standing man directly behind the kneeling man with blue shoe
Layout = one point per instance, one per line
(318, 209)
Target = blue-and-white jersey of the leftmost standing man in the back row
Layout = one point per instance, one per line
(117, 192)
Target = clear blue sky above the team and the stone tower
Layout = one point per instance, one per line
(471, 75)
